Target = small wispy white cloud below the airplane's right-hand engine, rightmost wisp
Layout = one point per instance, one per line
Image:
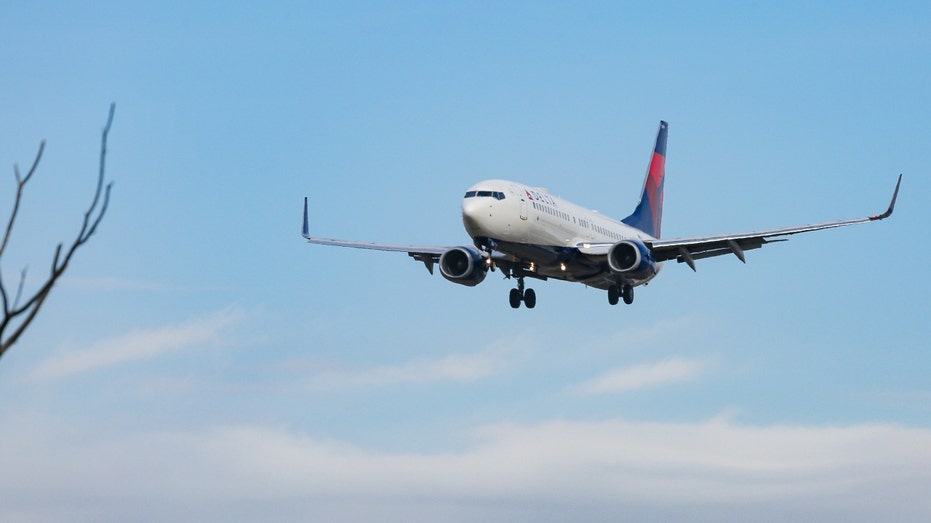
(641, 376)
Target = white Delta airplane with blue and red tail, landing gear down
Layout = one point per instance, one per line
(526, 232)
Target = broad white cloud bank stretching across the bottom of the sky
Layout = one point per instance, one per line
(556, 469)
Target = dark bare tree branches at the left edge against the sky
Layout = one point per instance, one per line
(25, 313)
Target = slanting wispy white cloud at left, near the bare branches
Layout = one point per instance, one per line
(137, 345)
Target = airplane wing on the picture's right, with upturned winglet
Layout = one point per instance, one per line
(687, 250)
